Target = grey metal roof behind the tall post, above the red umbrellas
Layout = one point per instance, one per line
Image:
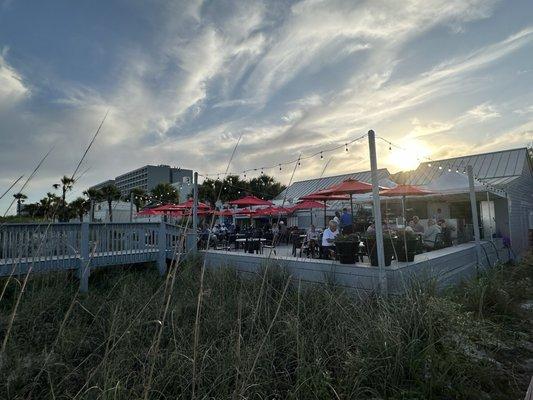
(302, 188)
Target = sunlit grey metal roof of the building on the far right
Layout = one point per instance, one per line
(498, 168)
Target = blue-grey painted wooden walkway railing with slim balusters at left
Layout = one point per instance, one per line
(27, 248)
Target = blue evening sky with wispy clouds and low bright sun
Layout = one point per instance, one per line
(182, 82)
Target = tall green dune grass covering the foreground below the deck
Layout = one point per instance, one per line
(136, 335)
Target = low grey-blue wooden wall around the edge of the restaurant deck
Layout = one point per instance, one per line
(446, 266)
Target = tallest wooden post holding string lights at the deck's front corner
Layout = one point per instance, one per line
(377, 212)
